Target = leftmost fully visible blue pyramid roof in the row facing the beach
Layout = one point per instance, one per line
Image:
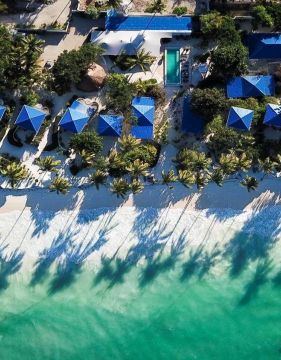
(30, 118)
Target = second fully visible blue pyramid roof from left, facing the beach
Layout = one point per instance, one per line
(76, 117)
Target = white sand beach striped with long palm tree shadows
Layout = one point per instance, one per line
(87, 225)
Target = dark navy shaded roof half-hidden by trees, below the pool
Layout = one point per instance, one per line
(191, 122)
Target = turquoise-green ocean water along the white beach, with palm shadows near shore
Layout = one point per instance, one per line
(163, 309)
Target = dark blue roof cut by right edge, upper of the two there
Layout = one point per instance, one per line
(264, 46)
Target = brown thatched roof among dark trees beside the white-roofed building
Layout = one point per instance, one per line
(94, 79)
